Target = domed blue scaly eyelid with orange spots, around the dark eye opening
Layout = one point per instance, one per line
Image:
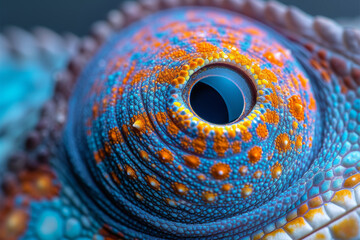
(157, 166)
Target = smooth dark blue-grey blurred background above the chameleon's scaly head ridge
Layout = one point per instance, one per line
(77, 15)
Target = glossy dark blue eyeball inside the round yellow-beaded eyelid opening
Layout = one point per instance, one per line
(221, 93)
